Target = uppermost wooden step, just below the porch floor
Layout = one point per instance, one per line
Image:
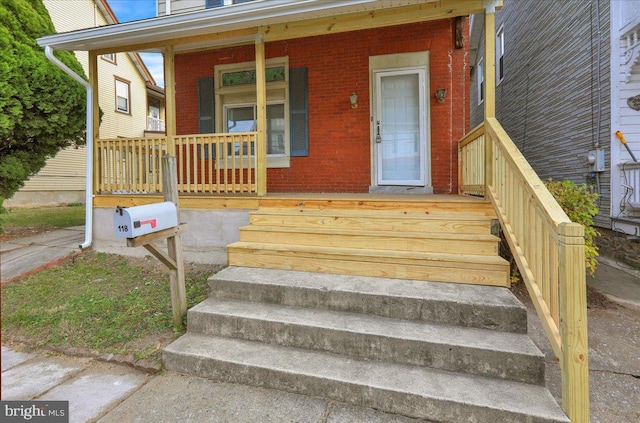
(372, 220)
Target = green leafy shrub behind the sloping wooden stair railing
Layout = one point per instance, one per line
(580, 205)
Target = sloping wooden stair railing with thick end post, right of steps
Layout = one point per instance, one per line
(547, 246)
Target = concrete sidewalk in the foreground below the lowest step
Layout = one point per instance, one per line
(111, 393)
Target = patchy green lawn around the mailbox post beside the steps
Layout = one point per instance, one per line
(102, 303)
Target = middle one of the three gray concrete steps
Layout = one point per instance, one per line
(460, 349)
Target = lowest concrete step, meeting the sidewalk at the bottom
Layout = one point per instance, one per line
(412, 391)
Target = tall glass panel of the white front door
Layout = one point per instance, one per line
(399, 151)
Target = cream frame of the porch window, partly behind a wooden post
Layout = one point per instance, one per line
(245, 95)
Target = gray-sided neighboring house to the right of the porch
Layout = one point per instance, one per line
(567, 73)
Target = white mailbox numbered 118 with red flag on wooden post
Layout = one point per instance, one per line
(131, 222)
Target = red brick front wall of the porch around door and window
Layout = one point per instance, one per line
(338, 64)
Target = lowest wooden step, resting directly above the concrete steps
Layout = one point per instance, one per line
(437, 267)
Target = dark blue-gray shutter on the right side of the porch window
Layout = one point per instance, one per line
(298, 109)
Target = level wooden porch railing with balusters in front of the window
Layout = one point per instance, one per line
(207, 163)
